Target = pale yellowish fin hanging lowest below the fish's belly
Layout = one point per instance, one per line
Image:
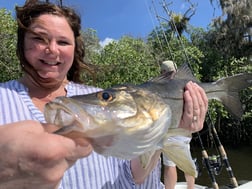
(179, 152)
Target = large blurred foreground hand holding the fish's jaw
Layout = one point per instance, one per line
(30, 157)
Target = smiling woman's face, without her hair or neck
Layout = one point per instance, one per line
(51, 58)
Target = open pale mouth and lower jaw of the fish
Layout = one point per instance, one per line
(73, 122)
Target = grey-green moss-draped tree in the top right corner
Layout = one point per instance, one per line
(232, 31)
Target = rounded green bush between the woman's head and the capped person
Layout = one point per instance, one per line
(125, 61)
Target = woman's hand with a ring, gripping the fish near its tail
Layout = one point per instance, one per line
(195, 107)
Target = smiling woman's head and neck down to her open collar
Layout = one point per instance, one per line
(48, 52)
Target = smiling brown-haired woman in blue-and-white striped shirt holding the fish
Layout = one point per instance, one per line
(51, 52)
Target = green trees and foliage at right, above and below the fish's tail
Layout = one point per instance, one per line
(219, 52)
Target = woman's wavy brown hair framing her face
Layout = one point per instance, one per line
(33, 9)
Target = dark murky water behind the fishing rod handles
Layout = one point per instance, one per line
(240, 160)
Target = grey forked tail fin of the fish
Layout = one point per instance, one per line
(228, 91)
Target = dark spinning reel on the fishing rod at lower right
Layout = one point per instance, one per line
(215, 164)
